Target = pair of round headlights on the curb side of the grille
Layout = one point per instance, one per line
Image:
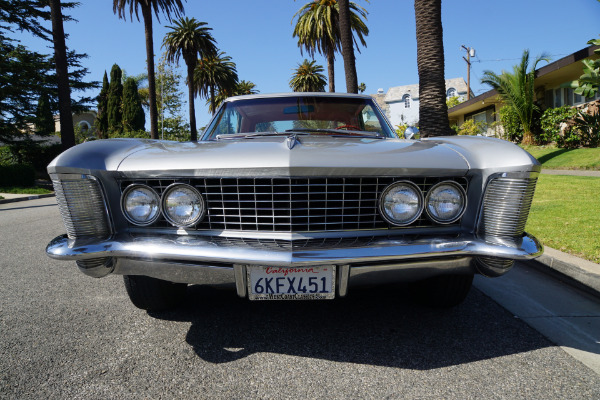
(402, 203)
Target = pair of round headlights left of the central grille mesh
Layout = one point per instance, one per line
(181, 204)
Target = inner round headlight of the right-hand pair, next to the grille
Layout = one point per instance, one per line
(401, 203)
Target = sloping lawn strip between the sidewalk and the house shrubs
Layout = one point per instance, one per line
(556, 158)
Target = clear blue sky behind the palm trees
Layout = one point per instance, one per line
(257, 34)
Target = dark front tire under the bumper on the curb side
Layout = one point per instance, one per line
(442, 291)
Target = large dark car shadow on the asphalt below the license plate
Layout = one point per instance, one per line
(375, 326)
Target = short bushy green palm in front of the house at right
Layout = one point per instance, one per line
(517, 91)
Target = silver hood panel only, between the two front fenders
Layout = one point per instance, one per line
(296, 156)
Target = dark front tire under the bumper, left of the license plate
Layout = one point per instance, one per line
(153, 294)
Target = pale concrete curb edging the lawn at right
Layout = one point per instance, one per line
(581, 273)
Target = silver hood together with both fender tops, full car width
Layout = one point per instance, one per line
(289, 156)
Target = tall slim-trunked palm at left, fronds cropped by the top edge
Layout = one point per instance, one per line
(168, 7)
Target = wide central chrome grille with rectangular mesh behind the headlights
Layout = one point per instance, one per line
(293, 204)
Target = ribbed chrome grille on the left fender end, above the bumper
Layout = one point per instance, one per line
(82, 206)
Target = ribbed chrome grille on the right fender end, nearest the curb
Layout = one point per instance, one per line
(506, 207)
